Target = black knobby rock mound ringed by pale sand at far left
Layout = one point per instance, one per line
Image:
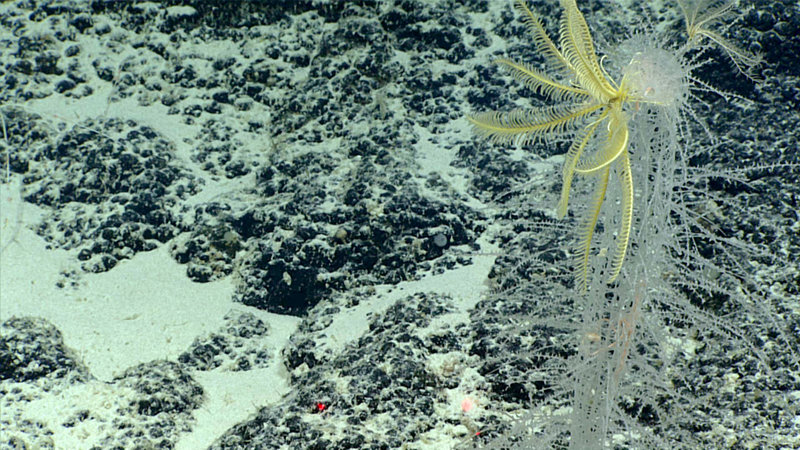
(113, 186)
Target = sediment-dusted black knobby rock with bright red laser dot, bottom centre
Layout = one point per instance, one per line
(385, 374)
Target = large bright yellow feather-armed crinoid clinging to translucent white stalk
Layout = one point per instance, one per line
(590, 110)
